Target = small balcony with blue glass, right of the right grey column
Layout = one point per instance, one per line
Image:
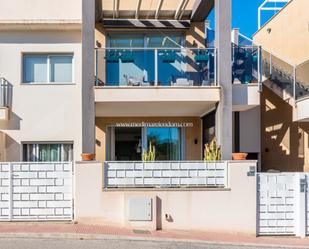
(246, 77)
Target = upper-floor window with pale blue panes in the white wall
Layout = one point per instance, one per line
(47, 68)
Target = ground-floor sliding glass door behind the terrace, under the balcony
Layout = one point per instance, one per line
(128, 143)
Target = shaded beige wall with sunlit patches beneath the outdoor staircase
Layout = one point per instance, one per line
(284, 143)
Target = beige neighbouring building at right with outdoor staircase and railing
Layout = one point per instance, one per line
(284, 100)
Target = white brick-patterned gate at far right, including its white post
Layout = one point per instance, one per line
(283, 207)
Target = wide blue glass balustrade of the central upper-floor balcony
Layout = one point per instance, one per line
(155, 67)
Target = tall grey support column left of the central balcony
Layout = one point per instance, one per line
(87, 94)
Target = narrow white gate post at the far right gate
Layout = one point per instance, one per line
(300, 205)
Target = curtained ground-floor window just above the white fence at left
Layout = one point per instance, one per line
(47, 152)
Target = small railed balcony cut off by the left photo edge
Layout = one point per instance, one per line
(5, 99)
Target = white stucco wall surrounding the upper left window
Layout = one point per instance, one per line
(41, 112)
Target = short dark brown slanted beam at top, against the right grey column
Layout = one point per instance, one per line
(201, 9)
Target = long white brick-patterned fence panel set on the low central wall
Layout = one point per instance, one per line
(165, 174)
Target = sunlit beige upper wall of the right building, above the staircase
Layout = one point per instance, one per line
(287, 33)
